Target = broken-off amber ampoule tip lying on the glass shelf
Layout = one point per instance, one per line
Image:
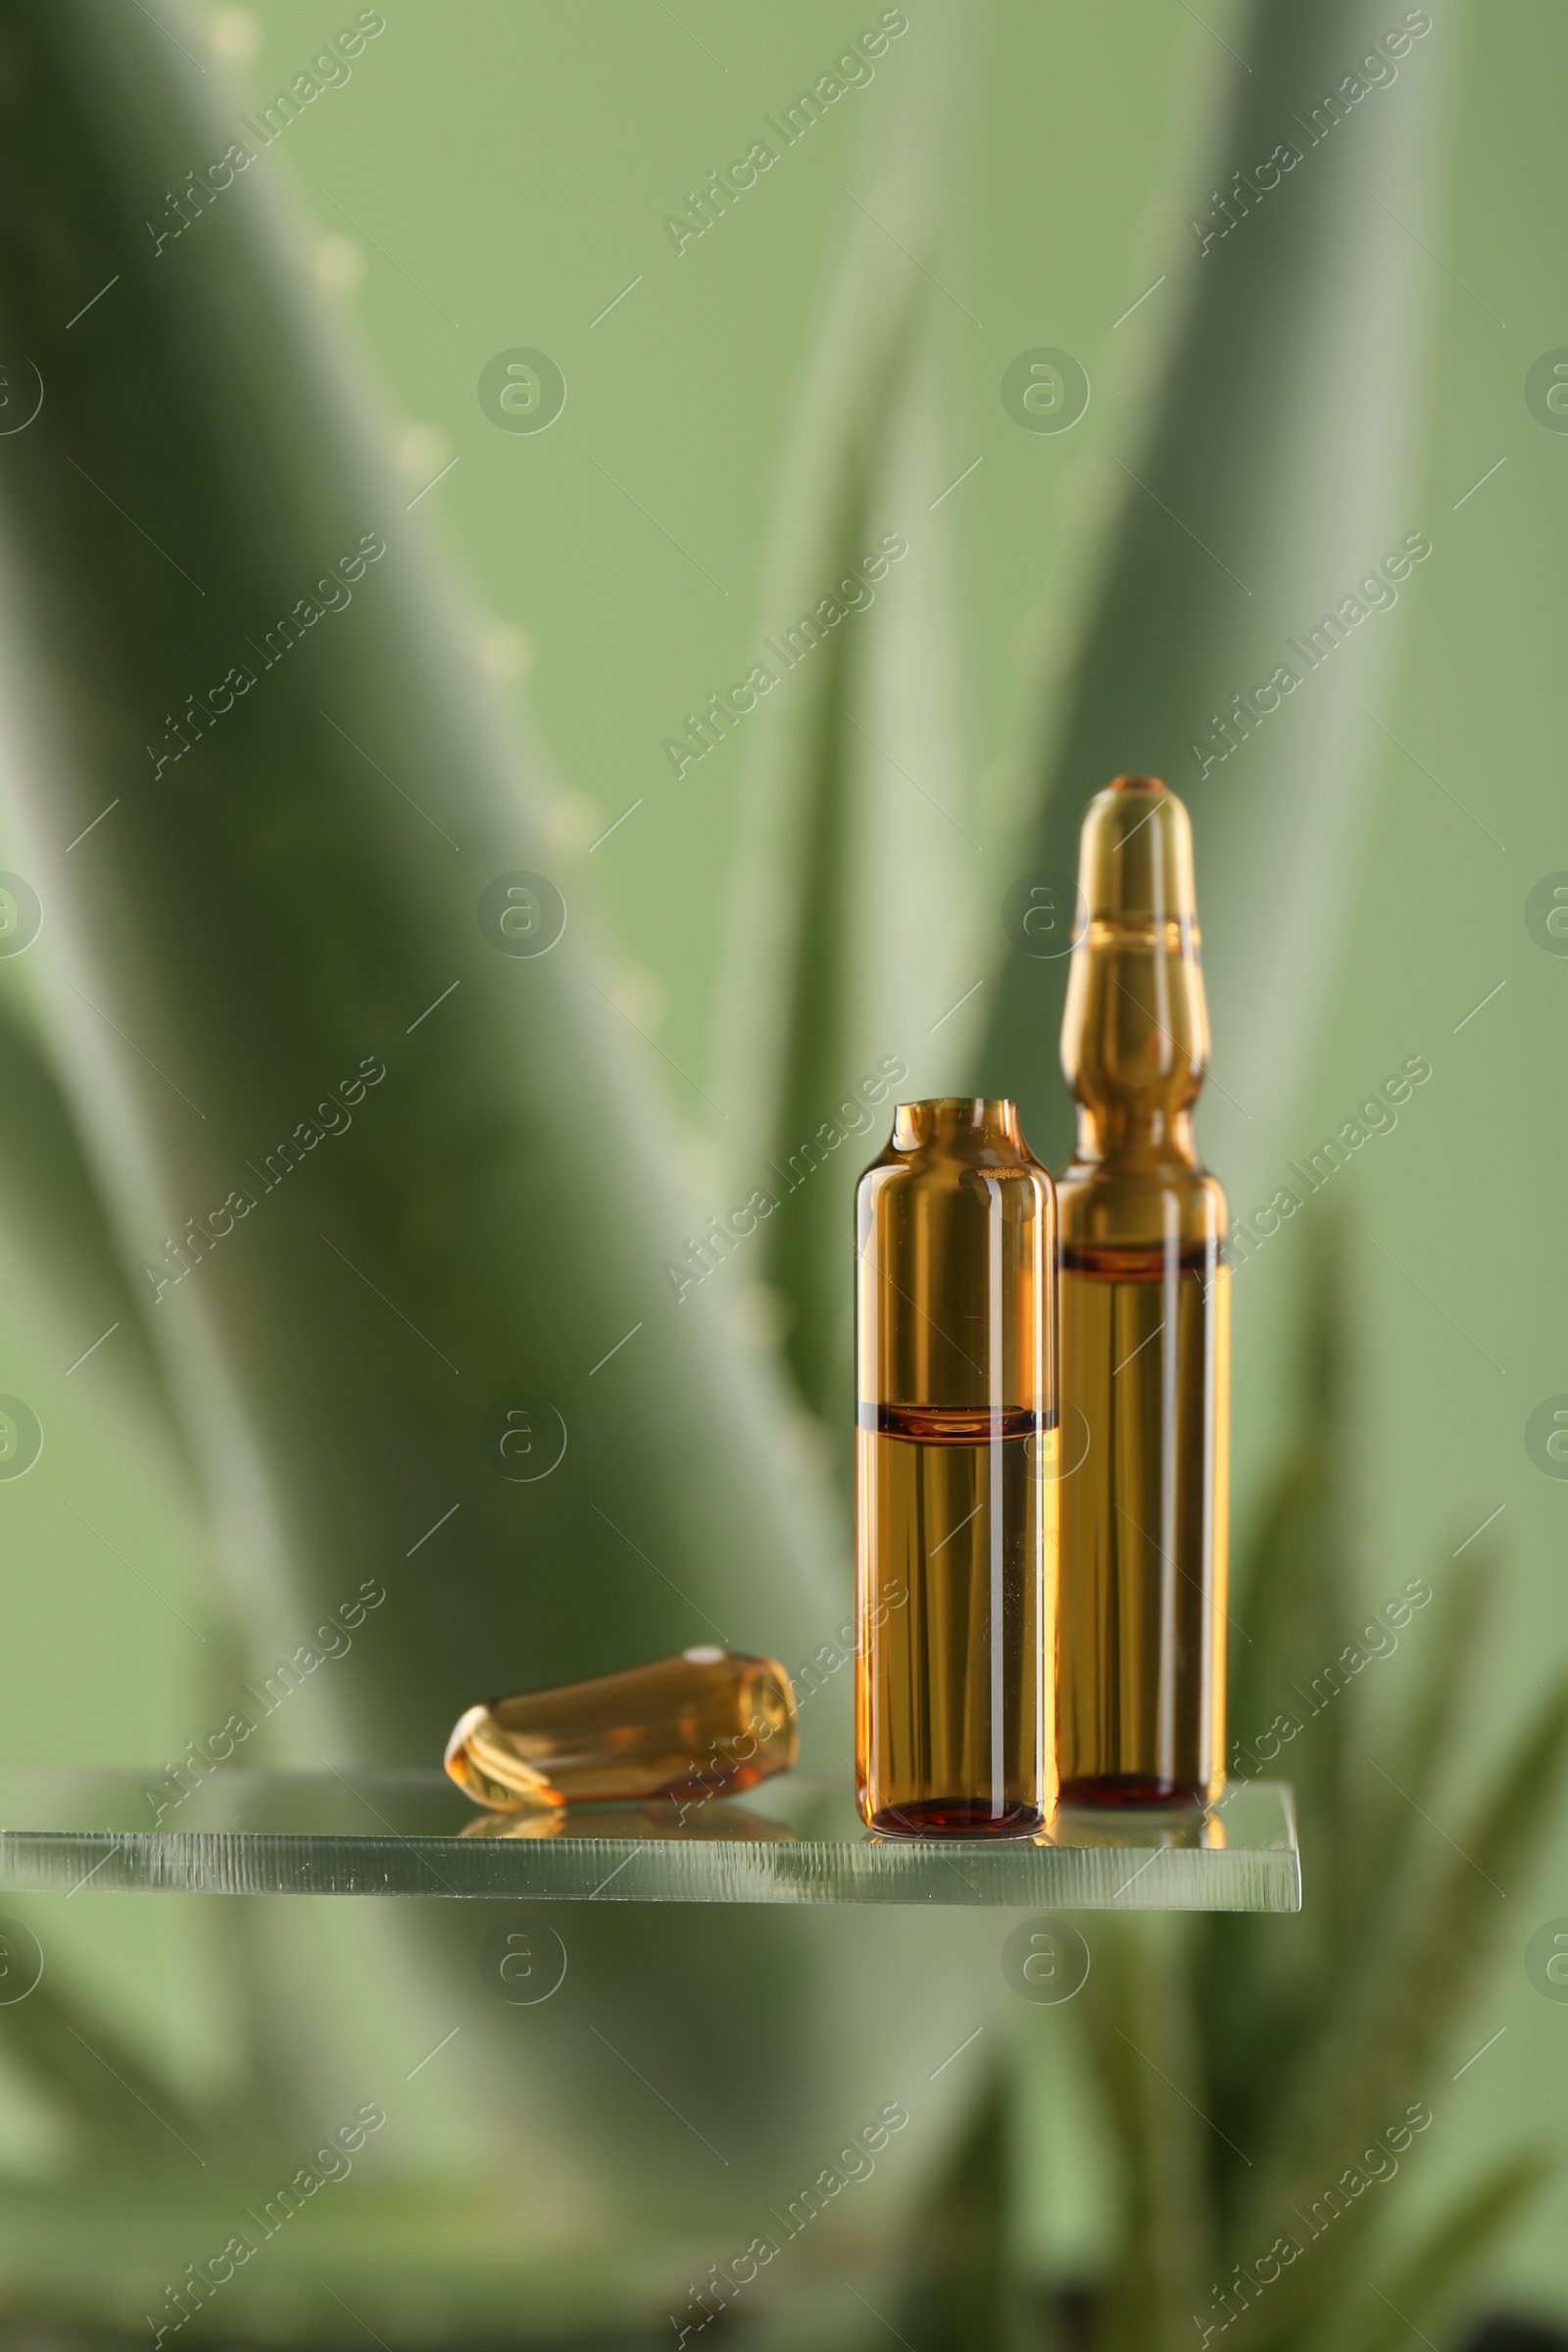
(692, 1728)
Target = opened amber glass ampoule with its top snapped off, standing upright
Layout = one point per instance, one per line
(956, 1492)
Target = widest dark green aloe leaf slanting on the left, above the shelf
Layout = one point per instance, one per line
(262, 926)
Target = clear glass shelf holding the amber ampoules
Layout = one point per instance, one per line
(406, 1833)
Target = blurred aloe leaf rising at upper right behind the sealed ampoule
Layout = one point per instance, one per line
(1266, 493)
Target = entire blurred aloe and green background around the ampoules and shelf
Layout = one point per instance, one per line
(751, 410)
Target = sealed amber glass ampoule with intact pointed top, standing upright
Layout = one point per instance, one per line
(1144, 1330)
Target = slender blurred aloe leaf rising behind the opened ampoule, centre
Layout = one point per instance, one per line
(838, 810)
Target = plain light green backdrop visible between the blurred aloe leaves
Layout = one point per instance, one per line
(495, 175)
